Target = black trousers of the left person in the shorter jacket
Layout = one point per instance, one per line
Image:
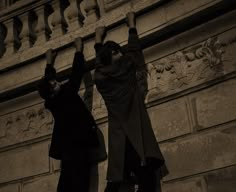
(75, 174)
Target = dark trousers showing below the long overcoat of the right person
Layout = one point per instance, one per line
(146, 177)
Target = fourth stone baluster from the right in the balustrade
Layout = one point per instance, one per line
(42, 28)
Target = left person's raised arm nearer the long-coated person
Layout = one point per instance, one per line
(78, 66)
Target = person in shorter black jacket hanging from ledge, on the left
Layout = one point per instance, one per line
(74, 133)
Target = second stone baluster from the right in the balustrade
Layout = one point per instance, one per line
(74, 16)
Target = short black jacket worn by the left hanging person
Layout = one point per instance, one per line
(74, 126)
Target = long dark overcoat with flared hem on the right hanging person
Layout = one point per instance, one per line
(127, 114)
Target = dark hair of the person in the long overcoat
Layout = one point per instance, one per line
(105, 54)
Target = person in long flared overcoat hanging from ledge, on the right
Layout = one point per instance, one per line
(133, 149)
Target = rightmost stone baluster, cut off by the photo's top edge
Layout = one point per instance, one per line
(91, 8)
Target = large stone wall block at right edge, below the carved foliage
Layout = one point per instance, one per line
(215, 105)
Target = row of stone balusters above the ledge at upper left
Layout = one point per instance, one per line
(21, 30)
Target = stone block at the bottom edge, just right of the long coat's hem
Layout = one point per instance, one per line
(190, 185)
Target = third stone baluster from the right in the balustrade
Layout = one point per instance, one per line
(58, 22)
